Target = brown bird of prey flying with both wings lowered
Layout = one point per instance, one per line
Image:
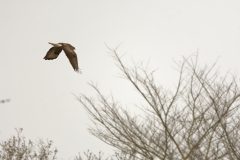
(69, 51)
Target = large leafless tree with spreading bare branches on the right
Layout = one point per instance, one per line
(199, 119)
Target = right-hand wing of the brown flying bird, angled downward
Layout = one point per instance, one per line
(72, 56)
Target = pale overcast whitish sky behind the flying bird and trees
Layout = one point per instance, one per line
(41, 96)
